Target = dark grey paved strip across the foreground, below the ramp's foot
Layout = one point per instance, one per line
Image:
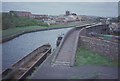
(83, 72)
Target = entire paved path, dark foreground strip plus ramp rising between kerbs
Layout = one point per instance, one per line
(61, 69)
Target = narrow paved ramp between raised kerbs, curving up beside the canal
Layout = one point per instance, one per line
(67, 51)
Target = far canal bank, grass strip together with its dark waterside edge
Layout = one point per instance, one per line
(38, 28)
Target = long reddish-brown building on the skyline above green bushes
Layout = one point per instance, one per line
(21, 13)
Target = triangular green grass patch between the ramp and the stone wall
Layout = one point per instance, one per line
(87, 57)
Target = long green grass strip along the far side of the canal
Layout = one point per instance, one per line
(13, 31)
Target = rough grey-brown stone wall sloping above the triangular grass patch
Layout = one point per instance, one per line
(106, 48)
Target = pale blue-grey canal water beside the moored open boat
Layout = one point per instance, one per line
(19, 47)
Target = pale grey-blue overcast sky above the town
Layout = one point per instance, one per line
(104, 9)
